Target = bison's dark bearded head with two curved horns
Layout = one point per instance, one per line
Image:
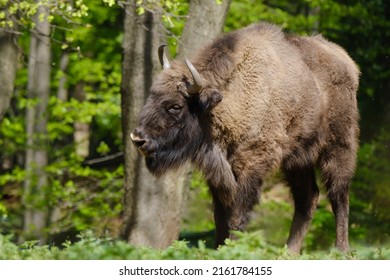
(173, 123)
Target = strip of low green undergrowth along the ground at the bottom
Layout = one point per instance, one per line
(248, 246)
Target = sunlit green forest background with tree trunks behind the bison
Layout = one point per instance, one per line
(73, 77)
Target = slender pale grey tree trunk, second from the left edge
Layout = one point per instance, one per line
(36, 153)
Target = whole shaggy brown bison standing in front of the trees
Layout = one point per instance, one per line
(251, 102)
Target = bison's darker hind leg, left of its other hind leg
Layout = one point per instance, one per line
(305, 194)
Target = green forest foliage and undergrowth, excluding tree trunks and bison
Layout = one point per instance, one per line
(85, 189)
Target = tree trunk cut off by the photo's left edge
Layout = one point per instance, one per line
(8, 64)
